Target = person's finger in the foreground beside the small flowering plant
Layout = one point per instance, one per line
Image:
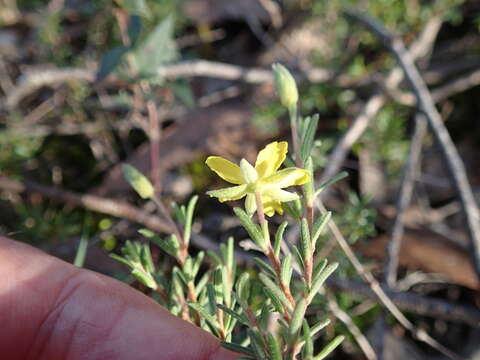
(50, 309)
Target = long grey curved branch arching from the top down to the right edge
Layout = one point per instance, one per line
(447, 147)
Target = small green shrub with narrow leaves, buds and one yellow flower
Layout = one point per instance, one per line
(261, 322)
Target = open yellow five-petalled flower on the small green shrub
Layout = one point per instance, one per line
(264, 179)
